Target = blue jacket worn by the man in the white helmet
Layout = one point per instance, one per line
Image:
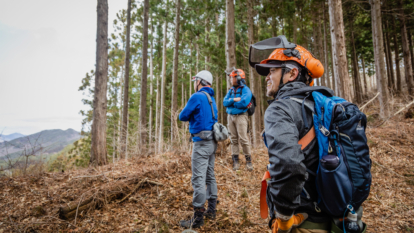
(198, 112)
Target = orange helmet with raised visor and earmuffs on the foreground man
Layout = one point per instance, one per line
(277, 52)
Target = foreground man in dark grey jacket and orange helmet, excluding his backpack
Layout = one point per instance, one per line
(291, 192)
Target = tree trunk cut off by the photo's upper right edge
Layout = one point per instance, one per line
(406, 52)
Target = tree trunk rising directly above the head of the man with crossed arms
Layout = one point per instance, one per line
(230, 39)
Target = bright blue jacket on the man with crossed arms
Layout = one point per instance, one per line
(234, 108)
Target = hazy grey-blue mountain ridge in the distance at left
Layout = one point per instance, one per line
(44, 142)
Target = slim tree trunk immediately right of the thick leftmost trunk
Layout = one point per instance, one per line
(126, 85)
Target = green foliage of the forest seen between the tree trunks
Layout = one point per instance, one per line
(203, 32)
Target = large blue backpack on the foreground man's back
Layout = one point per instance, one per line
(343, 177)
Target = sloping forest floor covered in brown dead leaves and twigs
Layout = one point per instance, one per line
(32, 203)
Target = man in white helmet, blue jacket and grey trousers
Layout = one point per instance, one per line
(199, 113)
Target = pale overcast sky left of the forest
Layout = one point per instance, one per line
(46, 48)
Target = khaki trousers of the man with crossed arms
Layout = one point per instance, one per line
(238, 125)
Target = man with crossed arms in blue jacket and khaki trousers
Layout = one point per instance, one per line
(237, 102)
